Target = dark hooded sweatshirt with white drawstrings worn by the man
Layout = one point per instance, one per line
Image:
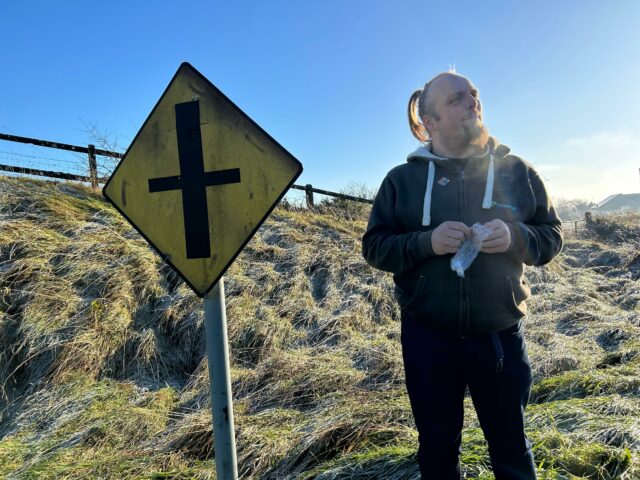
(416, 197)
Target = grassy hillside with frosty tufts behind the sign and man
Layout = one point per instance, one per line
(104, 375)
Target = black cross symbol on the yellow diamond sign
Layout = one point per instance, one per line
(193, 180)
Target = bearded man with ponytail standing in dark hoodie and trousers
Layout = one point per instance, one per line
(462, 331)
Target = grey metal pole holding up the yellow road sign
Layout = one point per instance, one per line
(215, 322)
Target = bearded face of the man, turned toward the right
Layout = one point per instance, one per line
(458, 107)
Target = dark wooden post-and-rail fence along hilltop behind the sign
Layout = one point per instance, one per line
(93, 178)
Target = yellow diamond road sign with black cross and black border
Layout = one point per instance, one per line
(199, 179)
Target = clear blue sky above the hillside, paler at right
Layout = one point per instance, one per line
(330, 79)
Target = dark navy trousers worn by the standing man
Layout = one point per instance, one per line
(438, 367)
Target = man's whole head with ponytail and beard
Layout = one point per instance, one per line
(450, 112)
